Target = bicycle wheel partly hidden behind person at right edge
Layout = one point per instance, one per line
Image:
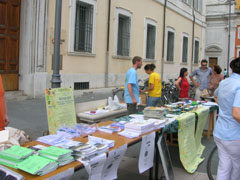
(212, 163)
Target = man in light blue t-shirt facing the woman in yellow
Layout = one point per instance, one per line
(131, 90)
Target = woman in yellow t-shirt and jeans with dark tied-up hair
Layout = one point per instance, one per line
(154, 86)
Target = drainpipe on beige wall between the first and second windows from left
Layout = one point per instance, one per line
(107, 51)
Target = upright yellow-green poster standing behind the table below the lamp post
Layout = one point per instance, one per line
(60, 108)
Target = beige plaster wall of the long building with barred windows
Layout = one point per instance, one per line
(94, 65)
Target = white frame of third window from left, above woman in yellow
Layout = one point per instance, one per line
(153, 23)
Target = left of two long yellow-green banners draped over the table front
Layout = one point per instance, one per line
(189, 154)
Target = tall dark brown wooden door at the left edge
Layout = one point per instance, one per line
(9, 42)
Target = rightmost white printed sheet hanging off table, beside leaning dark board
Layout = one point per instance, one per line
(147, 152)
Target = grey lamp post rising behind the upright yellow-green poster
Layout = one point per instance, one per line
(56, 77)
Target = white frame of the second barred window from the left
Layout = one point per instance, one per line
(125, 12)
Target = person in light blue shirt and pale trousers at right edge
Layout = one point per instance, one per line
(227, 129)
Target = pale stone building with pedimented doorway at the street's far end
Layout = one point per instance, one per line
(220, 15)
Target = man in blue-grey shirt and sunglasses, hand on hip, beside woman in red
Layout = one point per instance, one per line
(202, 74)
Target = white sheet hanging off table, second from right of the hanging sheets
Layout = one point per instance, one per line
(112, 163)
